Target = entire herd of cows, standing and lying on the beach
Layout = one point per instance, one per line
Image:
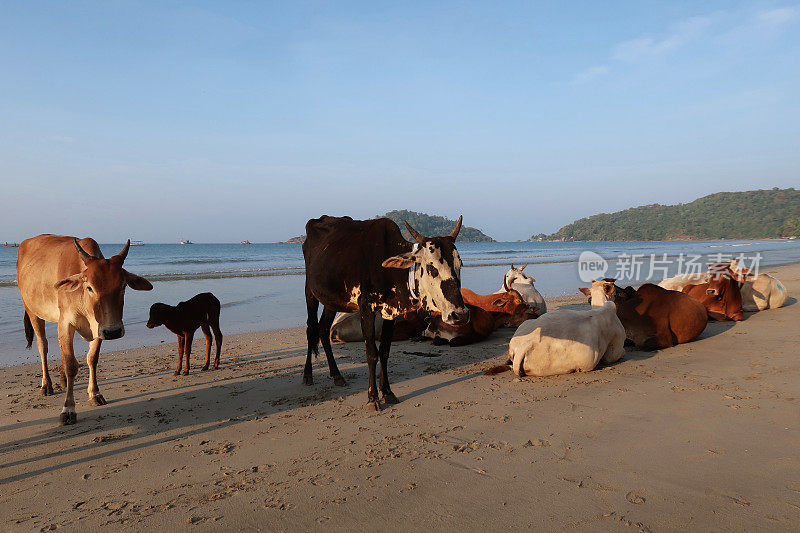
(385, 287)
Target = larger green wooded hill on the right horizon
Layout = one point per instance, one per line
(723, 215)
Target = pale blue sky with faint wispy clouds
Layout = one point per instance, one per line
(221, 121)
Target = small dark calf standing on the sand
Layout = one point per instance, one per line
(201, 311)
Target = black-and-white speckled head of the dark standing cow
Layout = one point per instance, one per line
(438, 274)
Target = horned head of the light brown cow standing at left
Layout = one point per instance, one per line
(102, 282)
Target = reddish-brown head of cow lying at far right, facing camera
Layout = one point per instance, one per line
(721, 294)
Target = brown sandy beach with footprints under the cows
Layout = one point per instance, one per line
(702, 436)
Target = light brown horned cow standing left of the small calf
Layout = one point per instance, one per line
(69, 282)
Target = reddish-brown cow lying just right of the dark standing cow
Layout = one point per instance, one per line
(486, 314)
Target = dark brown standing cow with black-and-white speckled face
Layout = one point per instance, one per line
(363, 265)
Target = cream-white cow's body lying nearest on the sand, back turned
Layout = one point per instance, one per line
(566, 340)
